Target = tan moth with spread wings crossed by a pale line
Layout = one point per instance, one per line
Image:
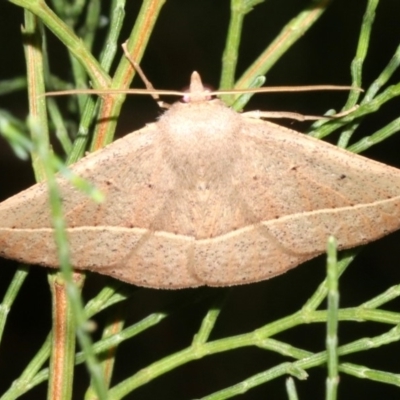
(207, 196)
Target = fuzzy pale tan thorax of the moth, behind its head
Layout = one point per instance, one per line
(200, 139)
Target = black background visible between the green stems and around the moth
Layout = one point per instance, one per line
(190, 35)
